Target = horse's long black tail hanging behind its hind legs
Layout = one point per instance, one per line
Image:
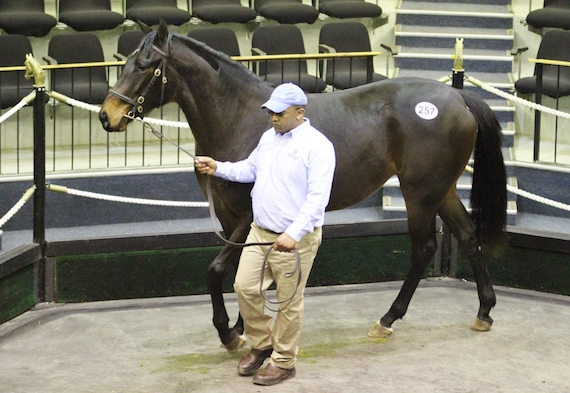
(489, 188)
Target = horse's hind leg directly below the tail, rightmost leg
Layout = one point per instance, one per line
(454, 214)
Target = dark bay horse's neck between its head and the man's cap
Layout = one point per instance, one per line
(222, 106)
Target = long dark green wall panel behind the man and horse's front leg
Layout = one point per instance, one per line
(183, 271)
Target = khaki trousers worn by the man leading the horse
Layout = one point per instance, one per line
(284, 334)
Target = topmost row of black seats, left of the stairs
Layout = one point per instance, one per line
(28, 17)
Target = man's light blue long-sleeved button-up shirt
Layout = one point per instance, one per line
(293, 175)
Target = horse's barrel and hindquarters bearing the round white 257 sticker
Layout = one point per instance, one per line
(411, 127)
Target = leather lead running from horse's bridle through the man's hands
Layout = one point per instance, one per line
(288, 301)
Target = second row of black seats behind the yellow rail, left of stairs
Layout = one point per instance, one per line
(90, 85)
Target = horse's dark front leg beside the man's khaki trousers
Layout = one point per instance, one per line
(227, 261)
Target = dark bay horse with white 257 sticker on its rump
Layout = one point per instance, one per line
(420, 130)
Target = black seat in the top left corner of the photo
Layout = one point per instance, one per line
(25, 17)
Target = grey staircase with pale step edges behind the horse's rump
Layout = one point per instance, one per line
(426, 33)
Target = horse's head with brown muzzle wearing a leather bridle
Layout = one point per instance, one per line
(142, 85)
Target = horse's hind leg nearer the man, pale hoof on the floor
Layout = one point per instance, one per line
(424, 245)
